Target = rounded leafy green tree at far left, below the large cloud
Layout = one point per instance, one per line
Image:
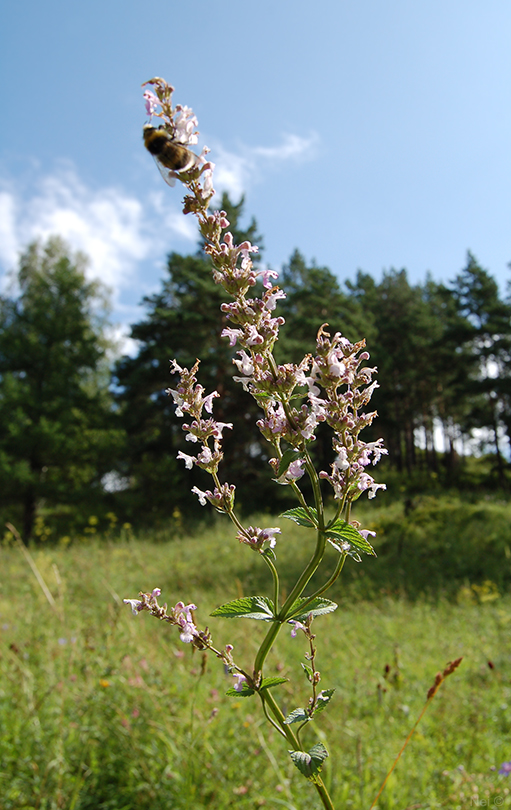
(58, 432)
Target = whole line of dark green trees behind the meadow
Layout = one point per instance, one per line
(83, 434)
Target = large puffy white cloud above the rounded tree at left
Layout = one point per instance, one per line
(115, 230)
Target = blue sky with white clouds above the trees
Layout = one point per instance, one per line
(368, 134)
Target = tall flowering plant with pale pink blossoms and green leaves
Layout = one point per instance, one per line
(333, 386)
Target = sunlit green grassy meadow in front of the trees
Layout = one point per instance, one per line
(101, 710)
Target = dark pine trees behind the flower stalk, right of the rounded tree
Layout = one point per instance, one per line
(432, 344)
